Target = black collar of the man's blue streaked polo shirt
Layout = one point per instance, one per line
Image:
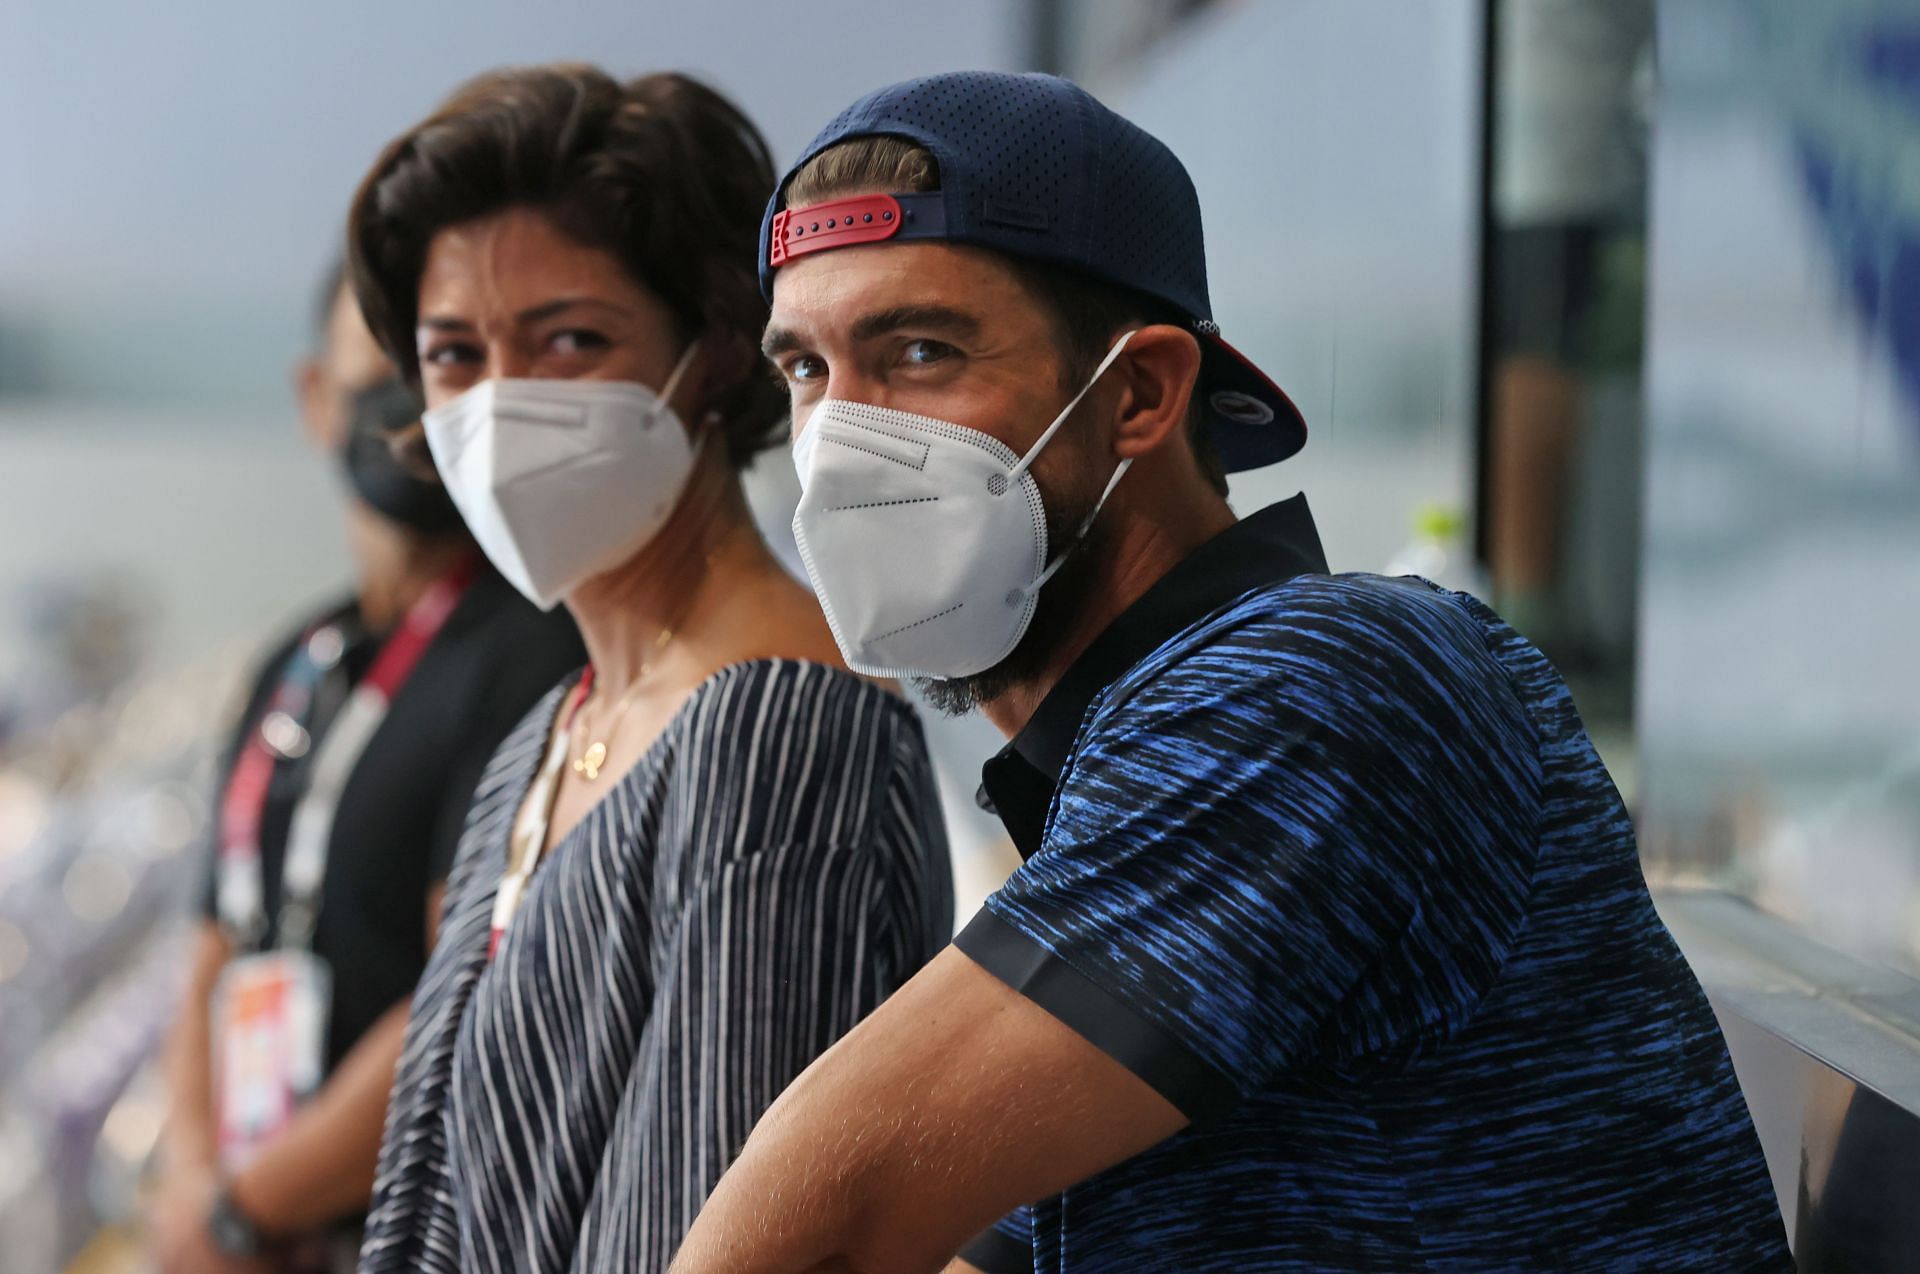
(1276, 544)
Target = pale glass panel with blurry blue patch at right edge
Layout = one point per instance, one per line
(1779, 694)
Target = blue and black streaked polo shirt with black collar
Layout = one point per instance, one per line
(1332, 864)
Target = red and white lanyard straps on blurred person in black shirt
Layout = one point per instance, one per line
(310, 832)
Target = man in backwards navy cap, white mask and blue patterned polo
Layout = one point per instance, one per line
(1332, 947)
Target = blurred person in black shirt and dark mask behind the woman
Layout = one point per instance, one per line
(339, 809)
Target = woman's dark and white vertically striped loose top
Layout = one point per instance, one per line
(767, 874)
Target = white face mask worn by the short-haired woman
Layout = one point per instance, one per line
(562, 481)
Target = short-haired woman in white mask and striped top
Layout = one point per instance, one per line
(702, 862)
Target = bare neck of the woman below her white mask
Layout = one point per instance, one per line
(675, 584)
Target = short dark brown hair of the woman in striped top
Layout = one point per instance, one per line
(661, 172)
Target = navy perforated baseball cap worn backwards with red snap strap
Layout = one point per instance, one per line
(1038, 168)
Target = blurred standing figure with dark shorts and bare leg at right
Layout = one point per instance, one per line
(1570, 206)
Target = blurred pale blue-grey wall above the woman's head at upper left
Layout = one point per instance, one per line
(174, 176)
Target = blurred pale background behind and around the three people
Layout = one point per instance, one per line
(1596, 308)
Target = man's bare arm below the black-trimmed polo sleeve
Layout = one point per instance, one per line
(953, 1104)
